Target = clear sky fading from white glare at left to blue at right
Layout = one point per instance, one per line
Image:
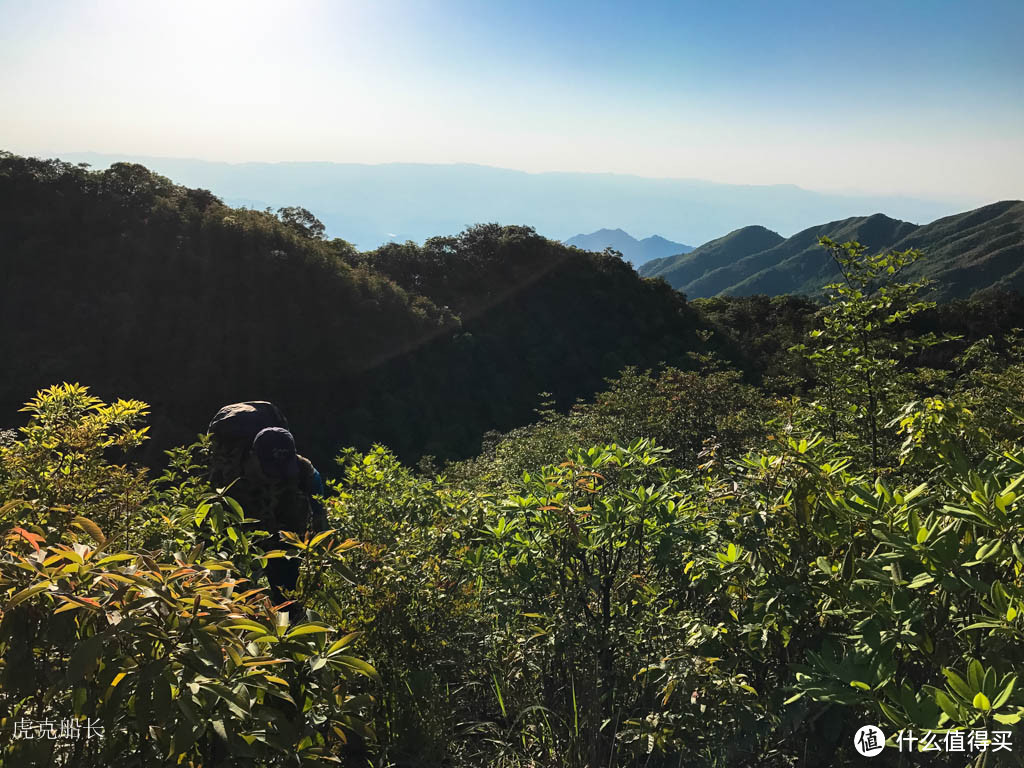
(925, 99)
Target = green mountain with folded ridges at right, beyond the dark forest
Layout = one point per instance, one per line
(965, 253)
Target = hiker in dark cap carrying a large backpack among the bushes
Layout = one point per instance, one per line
(277, 487)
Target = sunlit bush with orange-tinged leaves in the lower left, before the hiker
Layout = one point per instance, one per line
(172, 651)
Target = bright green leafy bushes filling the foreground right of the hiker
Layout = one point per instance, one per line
(615, 610)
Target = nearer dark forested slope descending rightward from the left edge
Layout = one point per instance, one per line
(126, 282)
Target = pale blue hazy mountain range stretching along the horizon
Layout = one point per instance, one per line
(372, 204)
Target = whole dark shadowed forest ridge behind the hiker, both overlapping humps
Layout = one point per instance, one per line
(126, 282)
